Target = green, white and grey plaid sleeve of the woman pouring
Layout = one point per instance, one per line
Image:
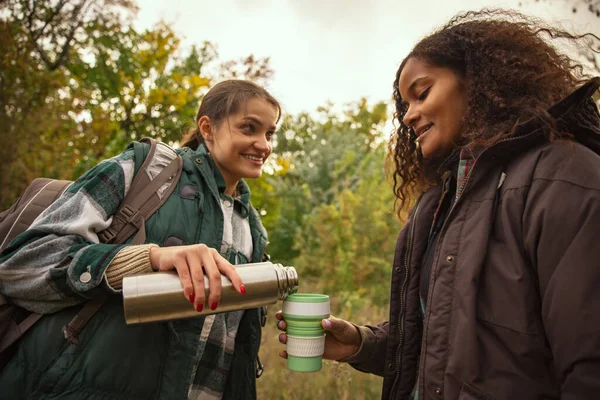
(59, 262)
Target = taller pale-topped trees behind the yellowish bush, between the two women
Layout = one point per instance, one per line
(313, 162)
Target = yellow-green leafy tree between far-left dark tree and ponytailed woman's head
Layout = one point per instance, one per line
(140, 83)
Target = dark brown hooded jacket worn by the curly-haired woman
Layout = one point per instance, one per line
(514, 300)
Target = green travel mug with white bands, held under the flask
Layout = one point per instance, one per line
(303, 313)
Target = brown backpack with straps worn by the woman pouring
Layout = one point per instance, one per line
(142, 200)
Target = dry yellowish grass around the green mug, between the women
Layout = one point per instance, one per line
(335, 380)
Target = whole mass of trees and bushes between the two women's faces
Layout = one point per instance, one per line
(327, 204)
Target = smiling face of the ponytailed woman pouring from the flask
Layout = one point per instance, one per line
(241, 143)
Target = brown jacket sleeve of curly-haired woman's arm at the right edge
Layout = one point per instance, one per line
(561, 231)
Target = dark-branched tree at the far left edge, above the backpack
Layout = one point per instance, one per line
(38, 39)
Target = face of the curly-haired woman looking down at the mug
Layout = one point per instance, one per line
(436, 102)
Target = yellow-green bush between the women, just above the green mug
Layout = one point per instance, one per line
(349, 244)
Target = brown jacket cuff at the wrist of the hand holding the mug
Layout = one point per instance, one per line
(370, 357)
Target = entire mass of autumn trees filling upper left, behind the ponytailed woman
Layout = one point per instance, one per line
(78, 82)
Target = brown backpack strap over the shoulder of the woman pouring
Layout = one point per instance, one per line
(153, 183)
